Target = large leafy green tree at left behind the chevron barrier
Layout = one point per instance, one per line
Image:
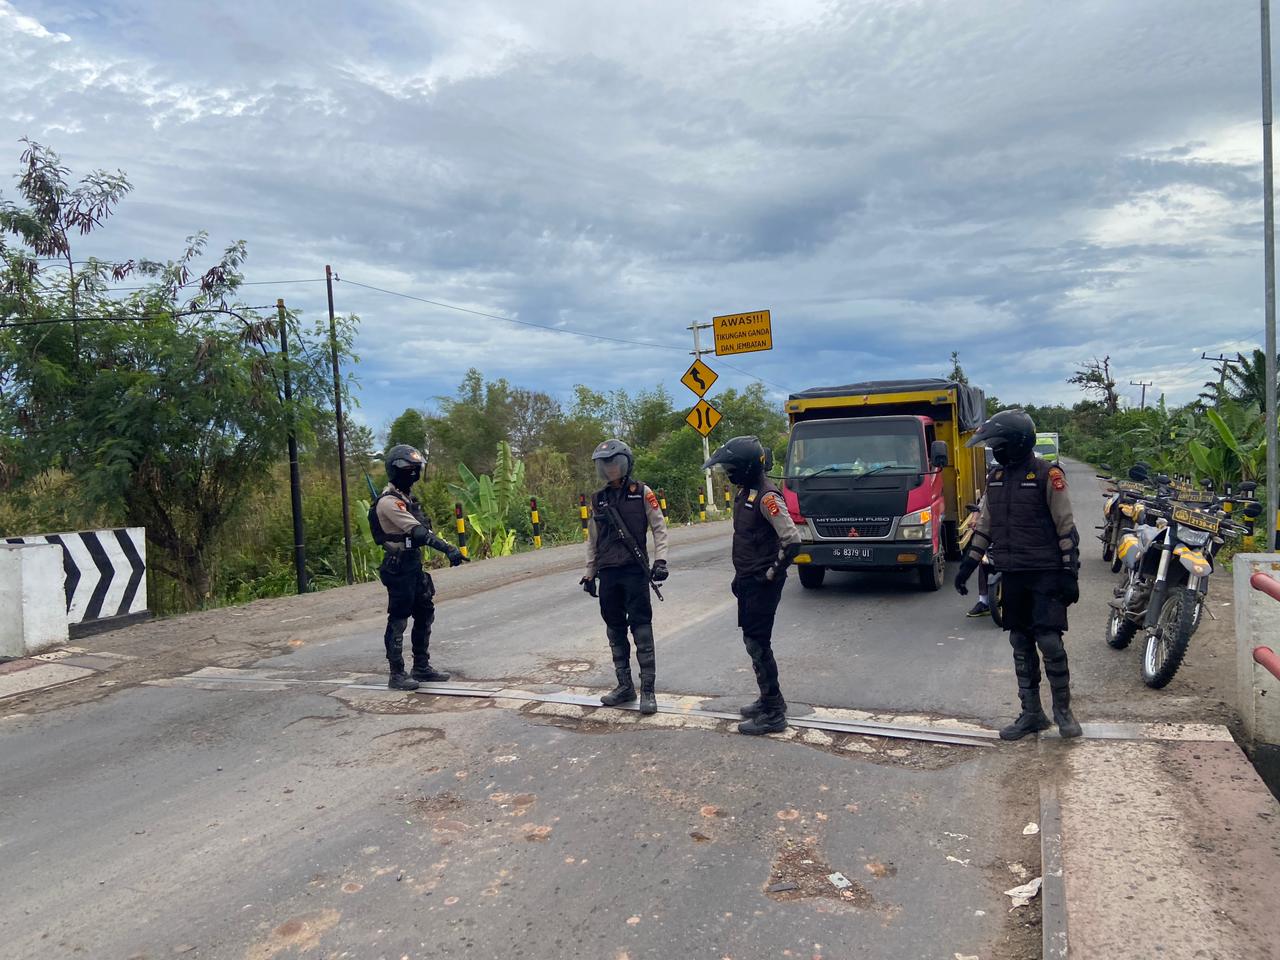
(167, 415)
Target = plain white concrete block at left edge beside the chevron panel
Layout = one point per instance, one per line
(33, 606)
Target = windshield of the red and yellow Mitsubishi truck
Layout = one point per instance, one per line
(853, 447)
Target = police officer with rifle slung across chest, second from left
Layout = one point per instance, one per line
(623, 511)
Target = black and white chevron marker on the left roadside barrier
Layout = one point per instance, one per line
(107, 573)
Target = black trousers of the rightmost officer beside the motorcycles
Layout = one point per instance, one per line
(1036, 620)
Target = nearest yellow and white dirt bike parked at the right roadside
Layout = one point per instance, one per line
(1162, 598)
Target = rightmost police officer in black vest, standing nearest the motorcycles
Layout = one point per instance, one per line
(1027, 529)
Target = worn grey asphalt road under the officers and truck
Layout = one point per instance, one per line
(267, 820)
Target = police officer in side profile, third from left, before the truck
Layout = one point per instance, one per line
(765, 545)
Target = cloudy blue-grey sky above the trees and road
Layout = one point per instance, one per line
(1031, 184)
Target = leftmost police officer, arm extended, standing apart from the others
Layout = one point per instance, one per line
(403, 529)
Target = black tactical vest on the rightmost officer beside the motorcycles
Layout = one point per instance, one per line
(1023, 534)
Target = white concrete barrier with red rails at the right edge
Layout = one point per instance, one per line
(1258, 624)
